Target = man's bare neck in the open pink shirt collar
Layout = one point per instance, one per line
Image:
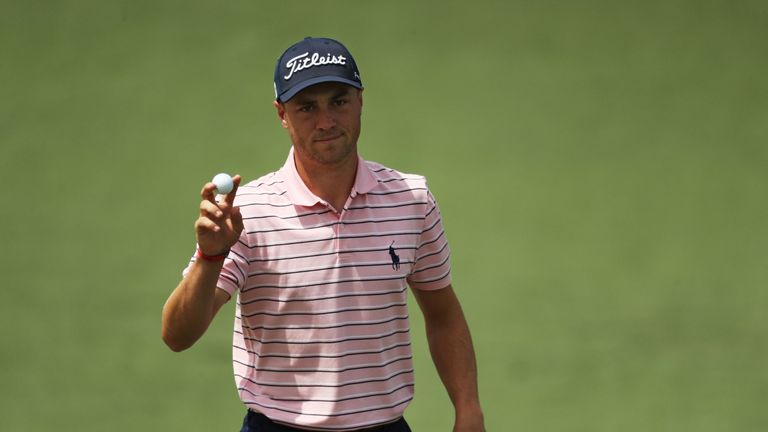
(332, 184)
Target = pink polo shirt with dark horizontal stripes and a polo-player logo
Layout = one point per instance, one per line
(321, 338)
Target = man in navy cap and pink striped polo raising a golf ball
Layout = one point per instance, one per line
(319, 254)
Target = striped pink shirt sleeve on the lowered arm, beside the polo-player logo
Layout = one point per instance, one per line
(432, 267)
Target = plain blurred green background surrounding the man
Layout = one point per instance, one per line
(601, 168)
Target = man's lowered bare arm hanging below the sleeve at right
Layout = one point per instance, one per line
(451, 347)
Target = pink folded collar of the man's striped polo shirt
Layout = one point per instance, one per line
(299, 193)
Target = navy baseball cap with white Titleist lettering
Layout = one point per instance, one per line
(313, 61)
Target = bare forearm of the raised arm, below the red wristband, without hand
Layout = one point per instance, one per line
(190, 308)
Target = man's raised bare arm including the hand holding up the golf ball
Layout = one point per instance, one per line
(196, 300)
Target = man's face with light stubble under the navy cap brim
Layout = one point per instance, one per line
(324, 122)
